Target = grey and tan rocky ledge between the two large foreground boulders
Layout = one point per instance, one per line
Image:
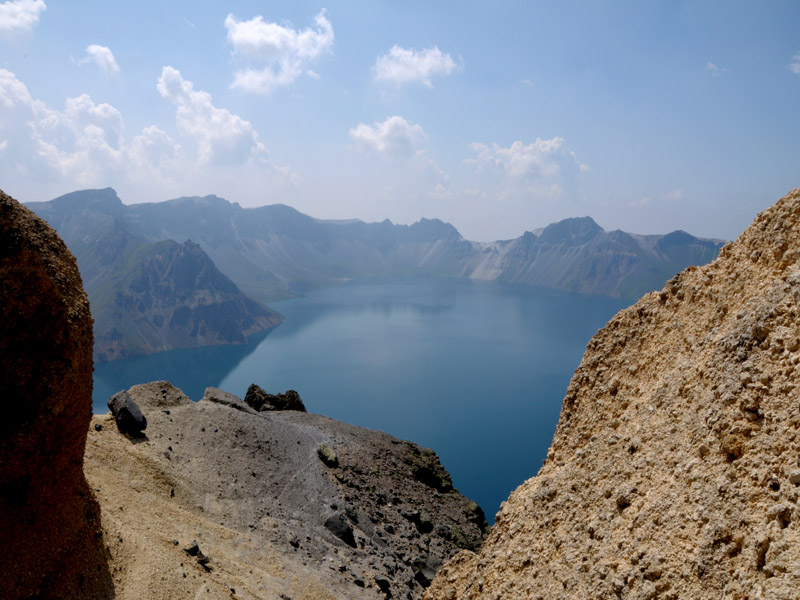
(271, 519)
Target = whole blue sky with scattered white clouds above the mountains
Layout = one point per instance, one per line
(498, 117)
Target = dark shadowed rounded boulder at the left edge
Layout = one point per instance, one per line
(49, 520)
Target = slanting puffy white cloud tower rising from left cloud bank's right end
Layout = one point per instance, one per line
(221, 137)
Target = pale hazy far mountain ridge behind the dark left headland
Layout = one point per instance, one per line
(274, 251)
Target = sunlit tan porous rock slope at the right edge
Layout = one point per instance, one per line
(674, 469)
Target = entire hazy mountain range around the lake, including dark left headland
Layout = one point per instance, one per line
(138, 282)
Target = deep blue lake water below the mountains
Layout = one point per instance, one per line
(475, 370)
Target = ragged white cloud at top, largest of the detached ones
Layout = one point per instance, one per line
(285, 53)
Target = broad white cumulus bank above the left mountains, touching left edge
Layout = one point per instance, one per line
(84, 145)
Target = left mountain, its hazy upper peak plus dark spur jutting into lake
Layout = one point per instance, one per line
(149, 296)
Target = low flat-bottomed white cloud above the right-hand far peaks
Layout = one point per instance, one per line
(539, 159)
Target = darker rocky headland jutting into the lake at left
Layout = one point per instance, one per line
(169, 295)
